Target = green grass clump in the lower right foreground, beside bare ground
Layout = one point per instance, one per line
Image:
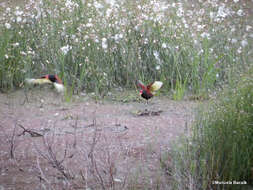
(220, 148)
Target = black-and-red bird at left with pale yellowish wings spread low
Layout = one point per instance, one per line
(50, 79)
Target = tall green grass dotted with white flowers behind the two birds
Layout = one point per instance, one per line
(98, 45)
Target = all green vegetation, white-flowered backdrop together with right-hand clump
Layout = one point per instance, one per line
(196, 47)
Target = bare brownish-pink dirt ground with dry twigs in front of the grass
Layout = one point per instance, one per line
(46, 143)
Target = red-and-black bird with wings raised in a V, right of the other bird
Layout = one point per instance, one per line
(148, 91)
